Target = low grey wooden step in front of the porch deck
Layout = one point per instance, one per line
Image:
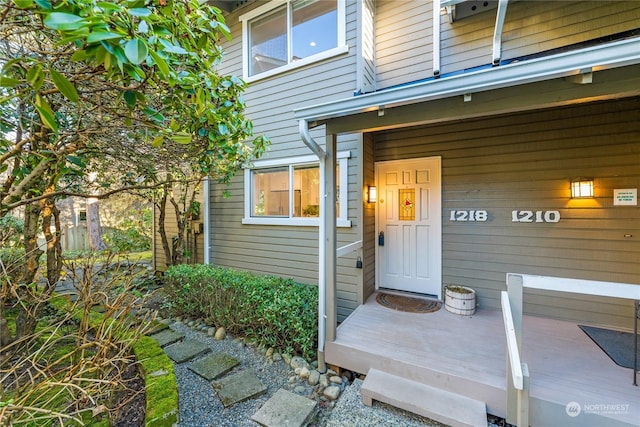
(436, 404)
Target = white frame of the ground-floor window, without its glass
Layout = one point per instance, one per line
(342, 220)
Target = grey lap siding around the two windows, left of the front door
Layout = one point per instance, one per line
(285, 250)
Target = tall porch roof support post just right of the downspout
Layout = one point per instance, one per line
(330, 245)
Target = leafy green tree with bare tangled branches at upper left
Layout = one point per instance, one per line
(88, 83)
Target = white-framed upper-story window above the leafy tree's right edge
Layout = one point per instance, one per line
(285, 34)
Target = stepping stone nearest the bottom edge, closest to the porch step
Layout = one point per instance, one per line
(285, 409)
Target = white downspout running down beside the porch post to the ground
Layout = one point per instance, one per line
(322, 233)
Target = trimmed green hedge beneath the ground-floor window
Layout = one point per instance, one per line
(274, 311)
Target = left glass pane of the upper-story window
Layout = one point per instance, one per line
(268, 42)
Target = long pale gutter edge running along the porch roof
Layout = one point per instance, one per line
(573, 63)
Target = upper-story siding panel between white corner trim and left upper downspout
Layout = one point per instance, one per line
(404, 34)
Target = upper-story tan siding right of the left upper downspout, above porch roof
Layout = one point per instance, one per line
(531, 27)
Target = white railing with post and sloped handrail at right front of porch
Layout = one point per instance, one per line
(517, 398)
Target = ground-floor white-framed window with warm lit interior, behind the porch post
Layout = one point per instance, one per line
(290, 194)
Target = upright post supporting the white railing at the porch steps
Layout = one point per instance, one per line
(515, 290)
